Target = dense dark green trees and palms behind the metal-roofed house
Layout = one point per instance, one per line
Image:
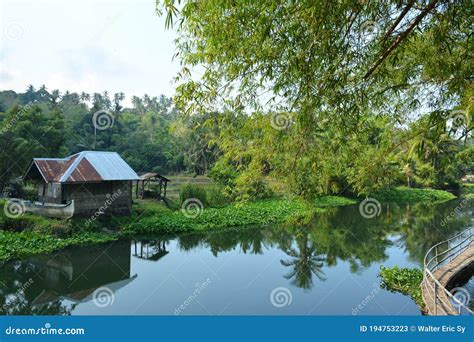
(150, 135)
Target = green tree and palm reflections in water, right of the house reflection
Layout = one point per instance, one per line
(338, 235)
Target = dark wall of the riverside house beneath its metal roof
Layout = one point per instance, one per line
(108, 197)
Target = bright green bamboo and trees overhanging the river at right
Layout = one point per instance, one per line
(330, 97)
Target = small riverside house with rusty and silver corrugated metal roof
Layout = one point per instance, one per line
(82, 184)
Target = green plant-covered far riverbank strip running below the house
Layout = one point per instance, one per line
(27, 234)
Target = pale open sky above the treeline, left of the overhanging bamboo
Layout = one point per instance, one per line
(86, 45)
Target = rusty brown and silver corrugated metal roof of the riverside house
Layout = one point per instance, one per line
(86, 166)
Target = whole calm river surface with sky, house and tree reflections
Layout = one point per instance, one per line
(329, 268)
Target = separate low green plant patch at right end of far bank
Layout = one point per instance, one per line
(411, 195)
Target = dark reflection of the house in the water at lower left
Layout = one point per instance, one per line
(40, 285)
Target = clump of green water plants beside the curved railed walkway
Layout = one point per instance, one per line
(404, 280)
